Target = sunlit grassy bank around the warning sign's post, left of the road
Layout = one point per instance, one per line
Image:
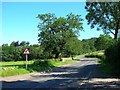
(17, 68)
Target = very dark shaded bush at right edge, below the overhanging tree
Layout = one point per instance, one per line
(112, 57)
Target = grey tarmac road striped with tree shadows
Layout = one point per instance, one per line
(85, 74)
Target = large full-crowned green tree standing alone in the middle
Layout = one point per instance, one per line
(54, 32)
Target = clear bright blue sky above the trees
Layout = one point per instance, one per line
(19, 22)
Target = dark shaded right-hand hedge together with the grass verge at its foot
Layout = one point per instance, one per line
(109, 58)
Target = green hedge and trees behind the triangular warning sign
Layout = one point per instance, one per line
(15, 53)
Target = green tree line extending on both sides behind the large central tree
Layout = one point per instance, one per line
(74, 46)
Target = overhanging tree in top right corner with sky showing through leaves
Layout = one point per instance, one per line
(104, 15)
